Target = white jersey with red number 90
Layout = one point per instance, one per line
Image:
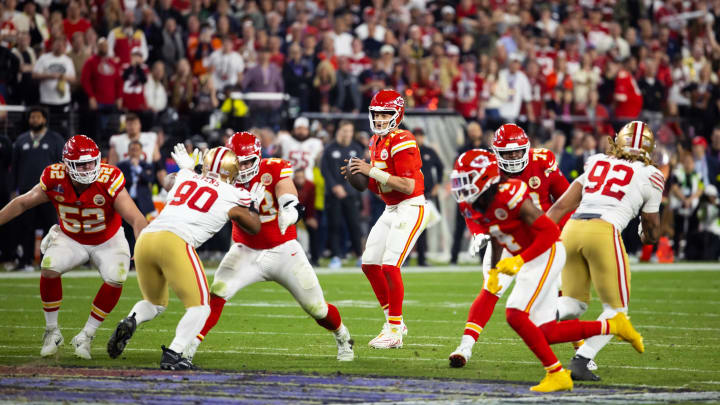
(197, 207)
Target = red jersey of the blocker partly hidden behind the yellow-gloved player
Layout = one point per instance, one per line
(545, 181)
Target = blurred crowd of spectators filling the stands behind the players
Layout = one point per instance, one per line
(162, 71)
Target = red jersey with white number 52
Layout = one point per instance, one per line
(88, 218)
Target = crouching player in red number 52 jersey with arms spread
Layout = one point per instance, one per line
(90, 199)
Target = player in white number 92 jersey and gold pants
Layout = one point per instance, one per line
(613, 189)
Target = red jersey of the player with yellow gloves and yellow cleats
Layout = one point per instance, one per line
(502, 218)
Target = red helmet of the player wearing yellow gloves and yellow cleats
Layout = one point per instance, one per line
(475, 171)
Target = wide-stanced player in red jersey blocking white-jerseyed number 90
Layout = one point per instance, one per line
(274, 254)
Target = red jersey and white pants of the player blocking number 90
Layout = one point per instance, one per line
(270, 255)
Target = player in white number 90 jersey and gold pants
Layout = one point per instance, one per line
(197, 207)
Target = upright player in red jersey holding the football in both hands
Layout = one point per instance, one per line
(394, 175)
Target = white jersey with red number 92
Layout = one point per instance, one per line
(618, 189)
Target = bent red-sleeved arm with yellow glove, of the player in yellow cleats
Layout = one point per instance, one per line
(546, 234)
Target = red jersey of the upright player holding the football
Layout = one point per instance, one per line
(396, 153)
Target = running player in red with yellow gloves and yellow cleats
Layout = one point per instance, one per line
(504, 209)
